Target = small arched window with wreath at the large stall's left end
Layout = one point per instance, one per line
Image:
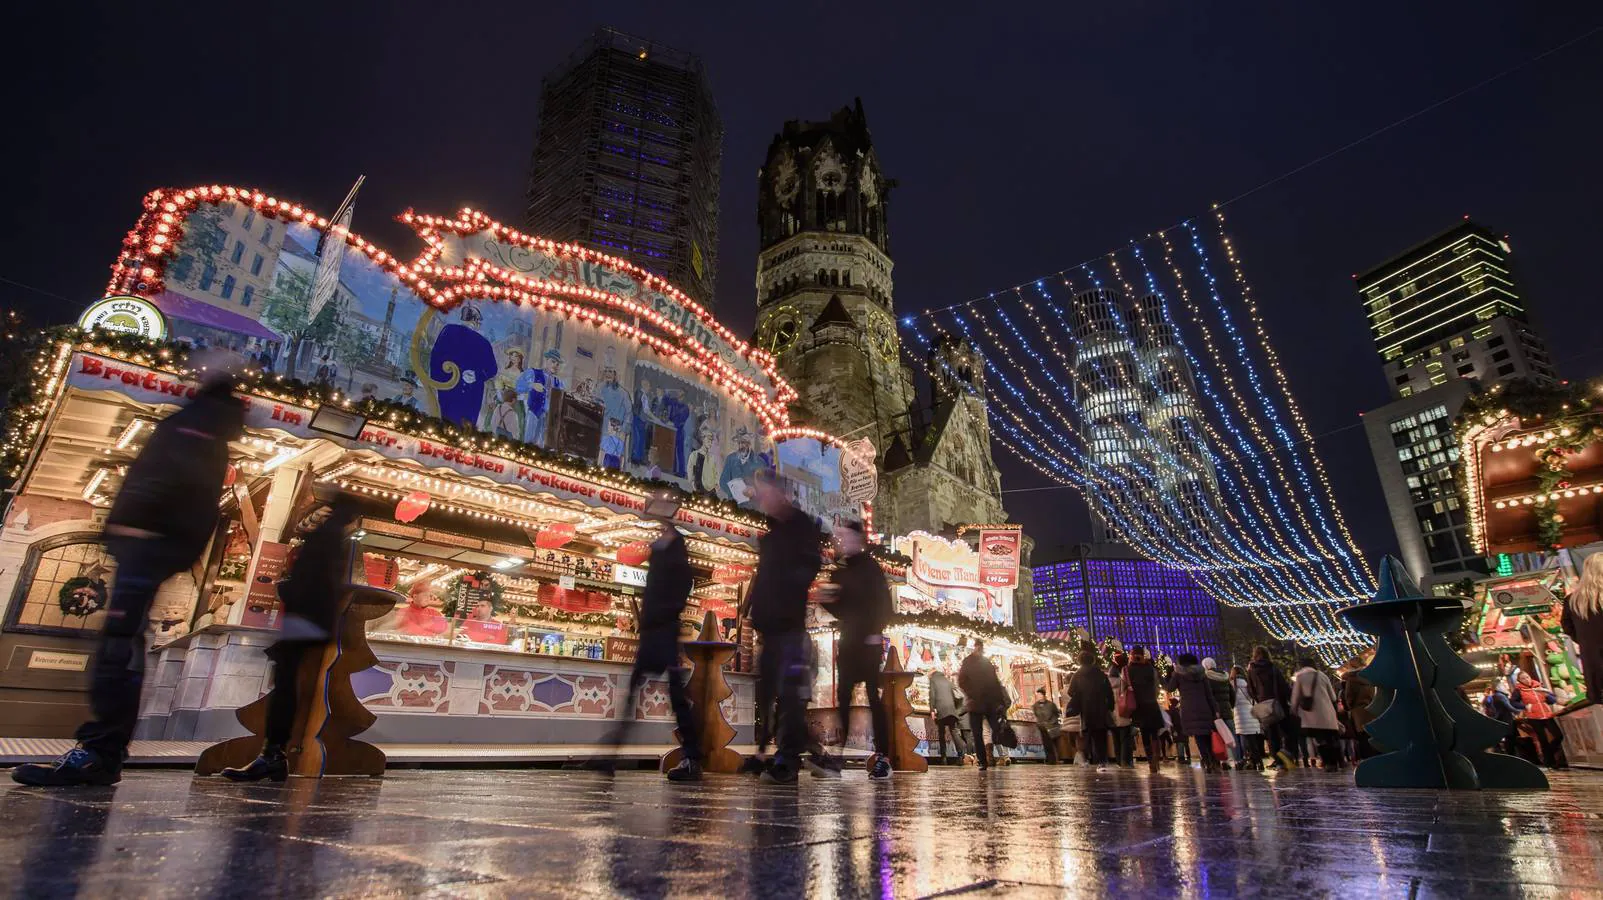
(63, 588)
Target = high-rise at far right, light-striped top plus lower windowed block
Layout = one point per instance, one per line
(1448, 318)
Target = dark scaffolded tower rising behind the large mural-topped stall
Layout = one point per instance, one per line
(628, 160)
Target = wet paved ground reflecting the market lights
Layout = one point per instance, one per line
(1020, 832)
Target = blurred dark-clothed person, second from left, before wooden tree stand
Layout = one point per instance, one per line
(312, 604)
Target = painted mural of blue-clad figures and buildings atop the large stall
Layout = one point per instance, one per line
(504, 370)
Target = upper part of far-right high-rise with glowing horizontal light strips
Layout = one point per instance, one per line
(1452, 309)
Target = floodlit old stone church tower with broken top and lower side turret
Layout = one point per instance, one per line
(825, 310)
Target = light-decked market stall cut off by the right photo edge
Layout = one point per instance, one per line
(1533, 460)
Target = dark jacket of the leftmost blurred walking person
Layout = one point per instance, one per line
(174, 485)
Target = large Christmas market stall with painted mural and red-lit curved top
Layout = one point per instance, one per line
(501, 405)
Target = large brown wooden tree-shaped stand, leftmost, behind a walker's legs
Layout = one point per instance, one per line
(328, 713)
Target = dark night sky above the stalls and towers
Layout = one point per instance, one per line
(1024, 144)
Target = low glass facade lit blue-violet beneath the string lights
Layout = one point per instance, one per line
(1133, 601)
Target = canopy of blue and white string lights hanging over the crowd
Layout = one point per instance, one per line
(1147, 381)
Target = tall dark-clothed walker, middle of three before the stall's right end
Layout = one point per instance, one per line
(788, 561)
